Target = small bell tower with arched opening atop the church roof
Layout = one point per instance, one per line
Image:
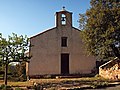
(63, 18)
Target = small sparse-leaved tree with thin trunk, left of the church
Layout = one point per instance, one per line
(13, 49)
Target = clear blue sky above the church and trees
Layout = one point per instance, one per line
(30, 17)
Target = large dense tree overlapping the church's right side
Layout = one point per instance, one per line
(101, 28)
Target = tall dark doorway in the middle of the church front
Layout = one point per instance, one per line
(64, 63)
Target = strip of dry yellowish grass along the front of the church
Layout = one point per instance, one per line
(93, 81)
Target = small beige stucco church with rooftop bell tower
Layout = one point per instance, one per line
(59, 50)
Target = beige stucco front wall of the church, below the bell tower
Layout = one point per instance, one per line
(46, 52)
